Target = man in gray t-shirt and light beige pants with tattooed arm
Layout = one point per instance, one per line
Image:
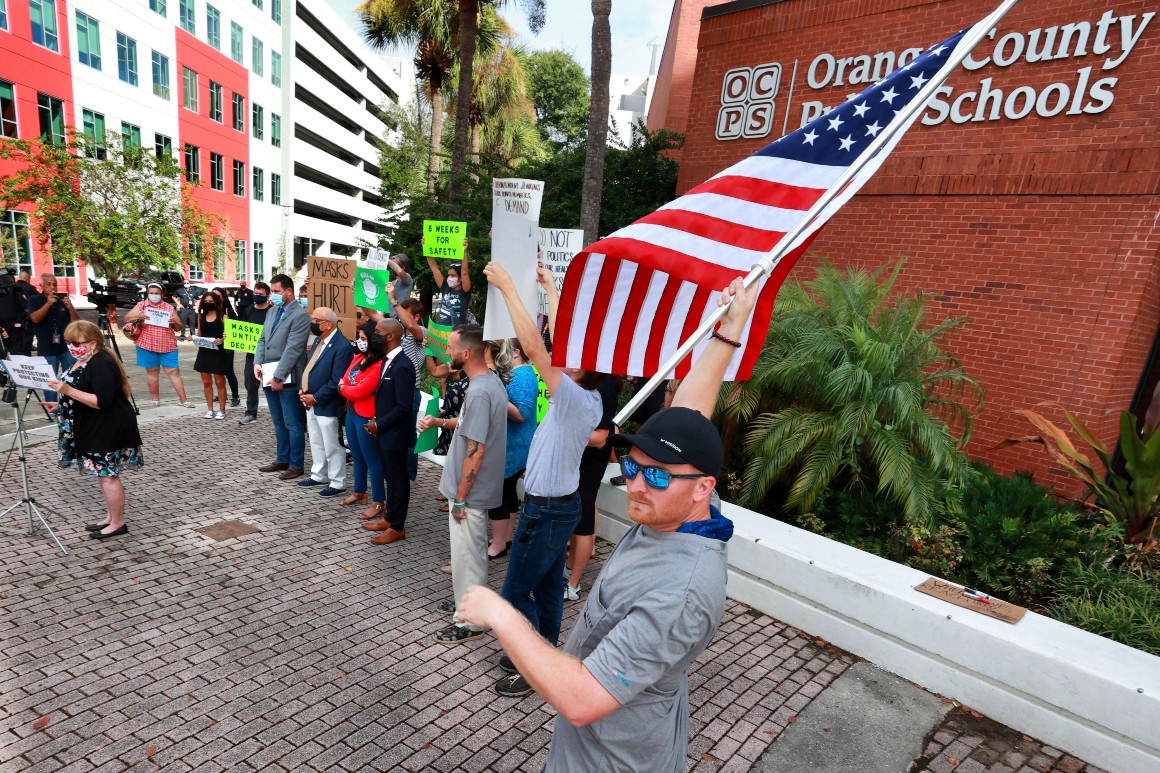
(474, 473)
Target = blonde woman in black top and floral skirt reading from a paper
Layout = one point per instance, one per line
(98, 424)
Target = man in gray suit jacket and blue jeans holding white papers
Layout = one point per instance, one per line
(282, 346)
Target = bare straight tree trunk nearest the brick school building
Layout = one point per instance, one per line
(598, 121)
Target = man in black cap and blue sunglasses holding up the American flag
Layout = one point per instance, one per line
(621, 683)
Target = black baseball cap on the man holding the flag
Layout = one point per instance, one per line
(678, 436)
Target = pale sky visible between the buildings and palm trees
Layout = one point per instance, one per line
(635, 24)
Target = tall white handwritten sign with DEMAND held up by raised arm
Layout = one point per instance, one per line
(516, 234)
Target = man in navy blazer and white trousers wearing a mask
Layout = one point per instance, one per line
(325, 367)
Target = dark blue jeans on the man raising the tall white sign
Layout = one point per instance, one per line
(535, 581)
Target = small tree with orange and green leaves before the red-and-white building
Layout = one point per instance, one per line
(119, 209)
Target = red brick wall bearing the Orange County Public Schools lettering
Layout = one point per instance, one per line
(1045, 232)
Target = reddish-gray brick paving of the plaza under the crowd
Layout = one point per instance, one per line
(301, 646)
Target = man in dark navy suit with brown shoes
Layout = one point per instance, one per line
(395, 429)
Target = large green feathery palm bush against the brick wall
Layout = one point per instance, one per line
(853, 391)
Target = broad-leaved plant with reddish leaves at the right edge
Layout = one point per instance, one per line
(1132, 501)
